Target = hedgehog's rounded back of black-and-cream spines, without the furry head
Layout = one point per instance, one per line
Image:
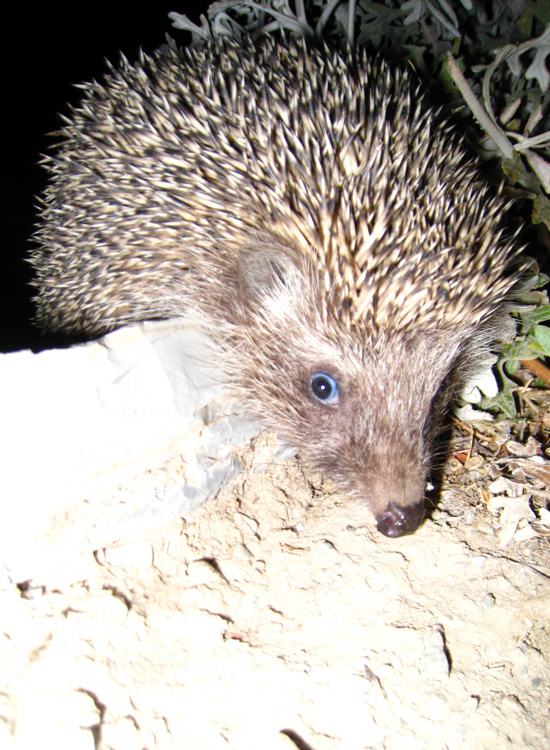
(173, 166)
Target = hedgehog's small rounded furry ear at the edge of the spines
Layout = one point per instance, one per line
(265, 269)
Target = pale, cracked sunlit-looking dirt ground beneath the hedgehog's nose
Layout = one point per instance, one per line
(276, 617)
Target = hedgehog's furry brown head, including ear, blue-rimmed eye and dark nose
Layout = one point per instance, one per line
(362, 408)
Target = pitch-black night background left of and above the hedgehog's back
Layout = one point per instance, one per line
(45, 51)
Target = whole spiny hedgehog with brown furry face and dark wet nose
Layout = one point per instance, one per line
(309, 211)
